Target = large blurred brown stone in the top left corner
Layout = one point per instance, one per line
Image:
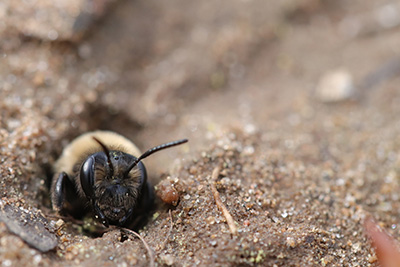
(63, 20)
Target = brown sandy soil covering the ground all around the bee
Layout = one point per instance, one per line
(239, 79)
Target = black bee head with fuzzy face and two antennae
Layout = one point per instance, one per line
(112, 182)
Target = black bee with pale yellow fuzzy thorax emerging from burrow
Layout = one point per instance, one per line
(101, 172)
